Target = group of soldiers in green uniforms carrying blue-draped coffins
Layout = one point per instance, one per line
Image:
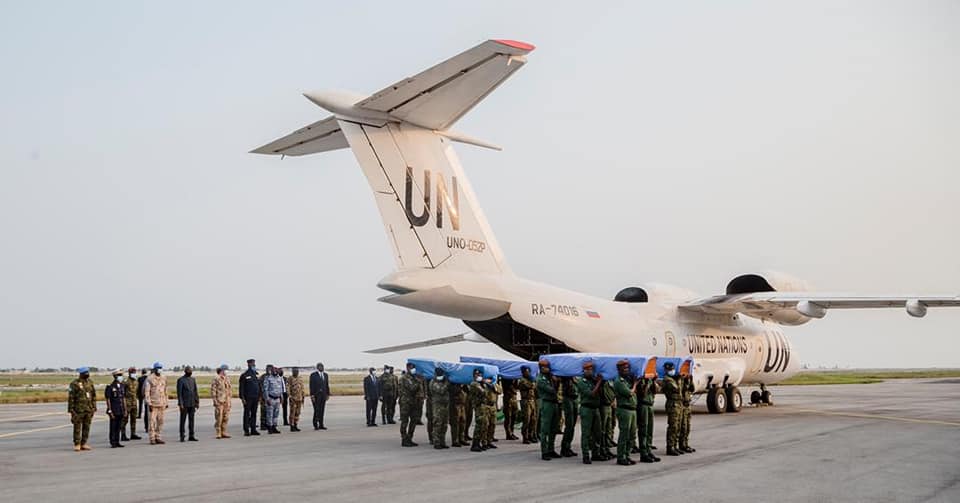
(545, 404)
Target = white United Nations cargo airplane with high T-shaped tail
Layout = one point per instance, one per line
(449, 263)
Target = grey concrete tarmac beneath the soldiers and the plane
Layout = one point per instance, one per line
(892, 441)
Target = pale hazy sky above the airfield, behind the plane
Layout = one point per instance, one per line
(672, 142)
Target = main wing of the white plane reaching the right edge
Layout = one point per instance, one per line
(814, 305)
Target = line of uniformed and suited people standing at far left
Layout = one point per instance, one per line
(129, 398)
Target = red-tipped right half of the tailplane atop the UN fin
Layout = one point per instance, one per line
(437, 97)
